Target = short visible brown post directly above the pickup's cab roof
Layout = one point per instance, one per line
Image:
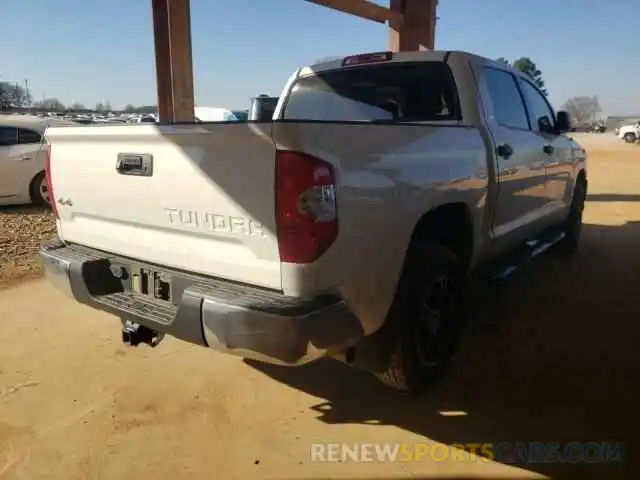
(417, 30)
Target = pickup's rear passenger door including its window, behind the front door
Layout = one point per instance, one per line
(522, 196)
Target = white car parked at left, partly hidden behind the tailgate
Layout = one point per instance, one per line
(22, 163)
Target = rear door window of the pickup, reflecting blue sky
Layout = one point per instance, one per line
(508, 108)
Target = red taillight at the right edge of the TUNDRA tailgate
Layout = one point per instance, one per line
(306, 208)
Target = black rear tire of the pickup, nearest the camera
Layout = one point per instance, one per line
(426, 318)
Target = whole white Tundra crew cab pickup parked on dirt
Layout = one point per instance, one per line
(347, 226)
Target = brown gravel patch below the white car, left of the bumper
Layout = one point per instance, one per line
(22, 230)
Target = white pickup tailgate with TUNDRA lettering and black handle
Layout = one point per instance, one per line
(194, 197)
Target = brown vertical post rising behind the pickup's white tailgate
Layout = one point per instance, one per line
(174, 67)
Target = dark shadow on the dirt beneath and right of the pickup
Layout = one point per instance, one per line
(551, 358)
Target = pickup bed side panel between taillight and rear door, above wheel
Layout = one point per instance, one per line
(389, 176)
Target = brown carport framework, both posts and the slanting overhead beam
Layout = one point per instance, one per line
(411, 27)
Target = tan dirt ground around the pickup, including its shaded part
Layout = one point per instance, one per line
(553, 357)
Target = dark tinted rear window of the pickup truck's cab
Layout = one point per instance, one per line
(392, 92)
